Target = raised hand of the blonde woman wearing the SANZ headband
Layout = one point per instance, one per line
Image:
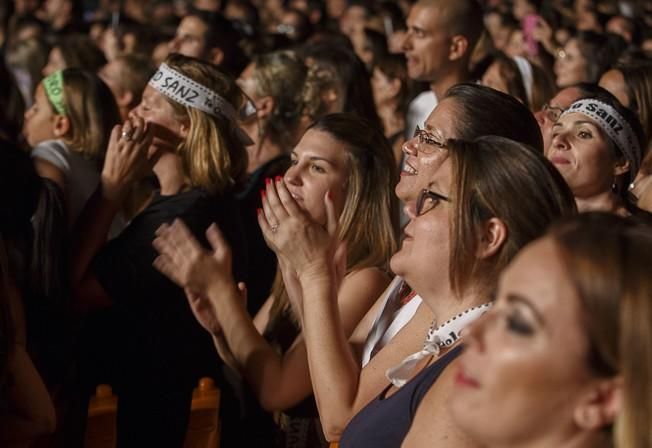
(126, 158)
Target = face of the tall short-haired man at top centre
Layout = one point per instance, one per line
(426, 44)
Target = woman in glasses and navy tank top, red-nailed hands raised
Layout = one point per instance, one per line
(464, 227)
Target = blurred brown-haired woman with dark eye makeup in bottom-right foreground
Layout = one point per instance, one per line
(563, 358)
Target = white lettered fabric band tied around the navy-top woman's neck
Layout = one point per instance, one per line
(438, 337)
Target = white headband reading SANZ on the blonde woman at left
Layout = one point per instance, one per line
(190, 93)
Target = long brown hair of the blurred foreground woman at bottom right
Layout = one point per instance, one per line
(607, 257)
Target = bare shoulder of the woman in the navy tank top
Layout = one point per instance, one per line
(432, 424)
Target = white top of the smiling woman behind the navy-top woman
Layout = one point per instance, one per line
(391, 318)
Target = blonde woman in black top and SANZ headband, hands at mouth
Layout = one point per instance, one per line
(185, 131)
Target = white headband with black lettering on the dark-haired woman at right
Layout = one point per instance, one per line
(614, 125)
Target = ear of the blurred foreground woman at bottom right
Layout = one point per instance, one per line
(601, 404)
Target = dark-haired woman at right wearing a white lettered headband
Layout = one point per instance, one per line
(597, 145)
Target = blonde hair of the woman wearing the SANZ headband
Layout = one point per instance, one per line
(213, 156)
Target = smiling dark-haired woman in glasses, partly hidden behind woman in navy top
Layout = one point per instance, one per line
(394, 328)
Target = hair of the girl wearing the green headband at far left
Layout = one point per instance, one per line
(92, 112)
